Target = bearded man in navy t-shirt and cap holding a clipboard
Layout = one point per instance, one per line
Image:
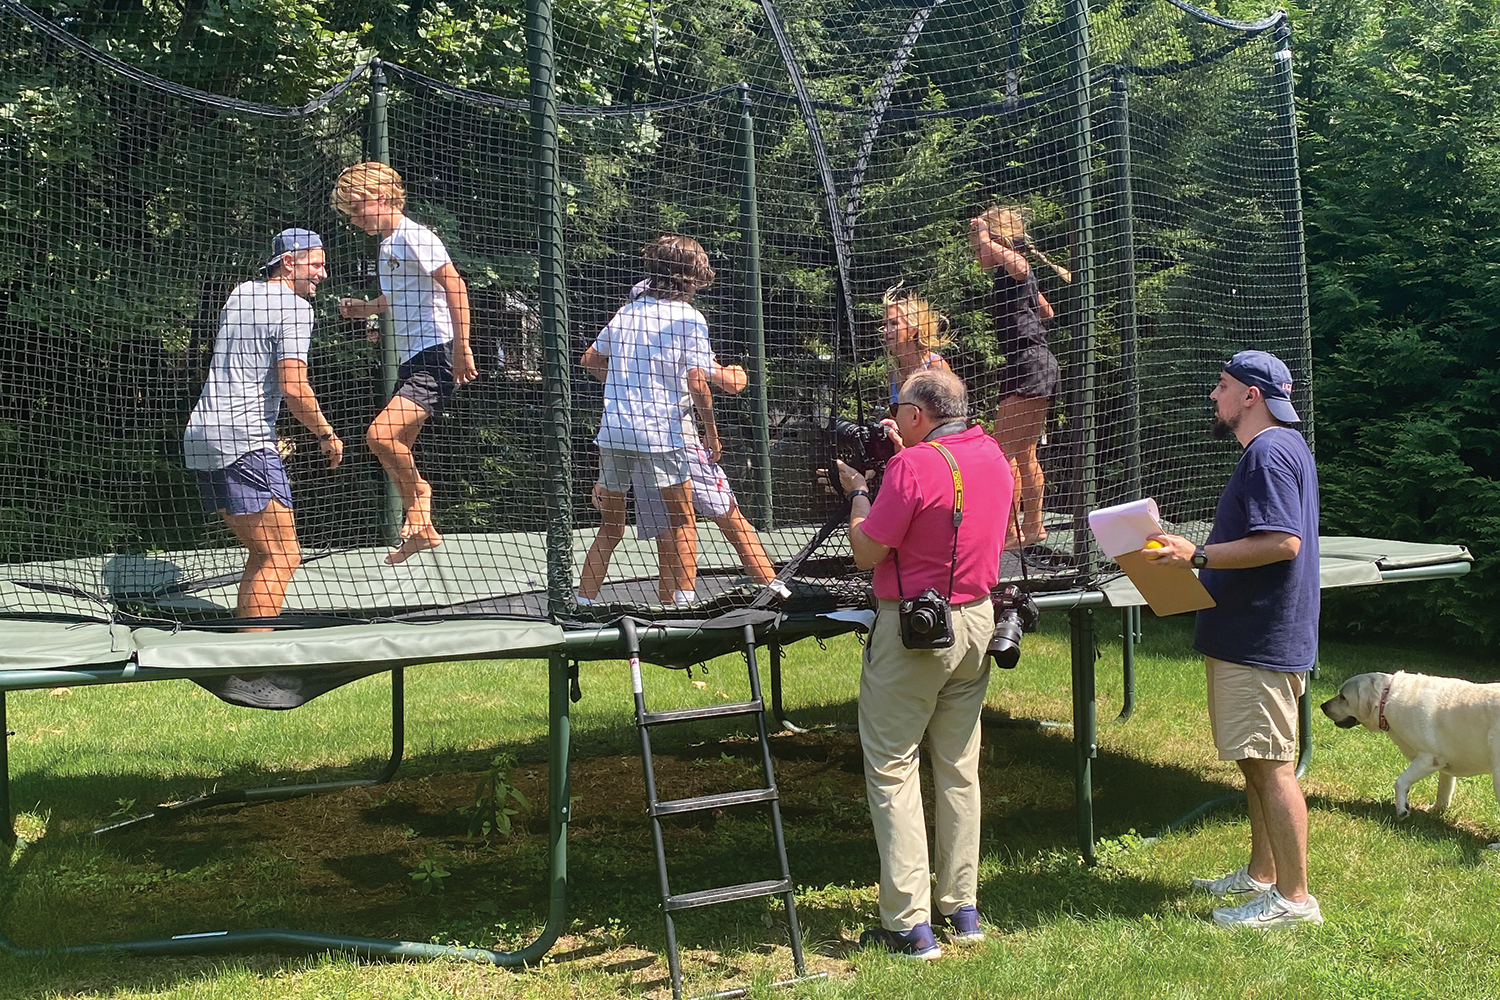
(1261, 564)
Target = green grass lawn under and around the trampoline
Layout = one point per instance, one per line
(1411, 906)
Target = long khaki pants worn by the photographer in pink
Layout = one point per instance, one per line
(905, 693)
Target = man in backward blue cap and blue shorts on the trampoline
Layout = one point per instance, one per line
(260, 358)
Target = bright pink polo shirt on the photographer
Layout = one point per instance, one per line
(913, 513)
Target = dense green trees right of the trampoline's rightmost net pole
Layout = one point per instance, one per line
(1402, 169)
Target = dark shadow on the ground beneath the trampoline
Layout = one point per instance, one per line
(341, 864)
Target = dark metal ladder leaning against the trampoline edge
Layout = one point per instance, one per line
(656, 809)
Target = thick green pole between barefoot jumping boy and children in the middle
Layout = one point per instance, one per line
(553, 295)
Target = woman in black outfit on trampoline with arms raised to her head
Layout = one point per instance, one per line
(1031, 379)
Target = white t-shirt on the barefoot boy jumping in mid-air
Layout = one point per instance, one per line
(419, 308)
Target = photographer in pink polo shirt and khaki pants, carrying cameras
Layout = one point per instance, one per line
(925, 666)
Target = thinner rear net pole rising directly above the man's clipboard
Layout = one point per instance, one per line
(1126, 275)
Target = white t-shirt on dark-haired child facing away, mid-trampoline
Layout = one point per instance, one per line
(650, 344)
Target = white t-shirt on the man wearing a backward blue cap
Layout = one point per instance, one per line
(262, 323)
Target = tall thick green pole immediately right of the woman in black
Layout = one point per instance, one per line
(1084, 355)
